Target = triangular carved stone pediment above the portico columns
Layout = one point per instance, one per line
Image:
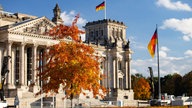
(38, 26)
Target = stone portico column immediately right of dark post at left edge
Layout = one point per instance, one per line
(9, 45)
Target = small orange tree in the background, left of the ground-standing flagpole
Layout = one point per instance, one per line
(142, 89)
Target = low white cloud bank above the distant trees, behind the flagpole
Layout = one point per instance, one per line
(168, 64)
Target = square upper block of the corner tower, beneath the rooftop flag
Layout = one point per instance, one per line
(103, 31)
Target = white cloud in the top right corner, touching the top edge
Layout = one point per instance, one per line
(174, 5)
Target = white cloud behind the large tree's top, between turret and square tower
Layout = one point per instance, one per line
(69, 17)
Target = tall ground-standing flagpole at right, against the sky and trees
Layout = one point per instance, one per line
(159, 81)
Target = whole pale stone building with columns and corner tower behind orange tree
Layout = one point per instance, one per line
(22, 37)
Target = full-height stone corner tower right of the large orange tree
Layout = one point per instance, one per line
(108, 38)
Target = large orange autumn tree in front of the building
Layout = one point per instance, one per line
(71, 66)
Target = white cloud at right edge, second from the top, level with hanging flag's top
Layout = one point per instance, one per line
(182, 25)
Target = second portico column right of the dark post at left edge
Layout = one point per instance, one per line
(22, 63)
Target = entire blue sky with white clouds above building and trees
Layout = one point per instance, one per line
(173, 17)
